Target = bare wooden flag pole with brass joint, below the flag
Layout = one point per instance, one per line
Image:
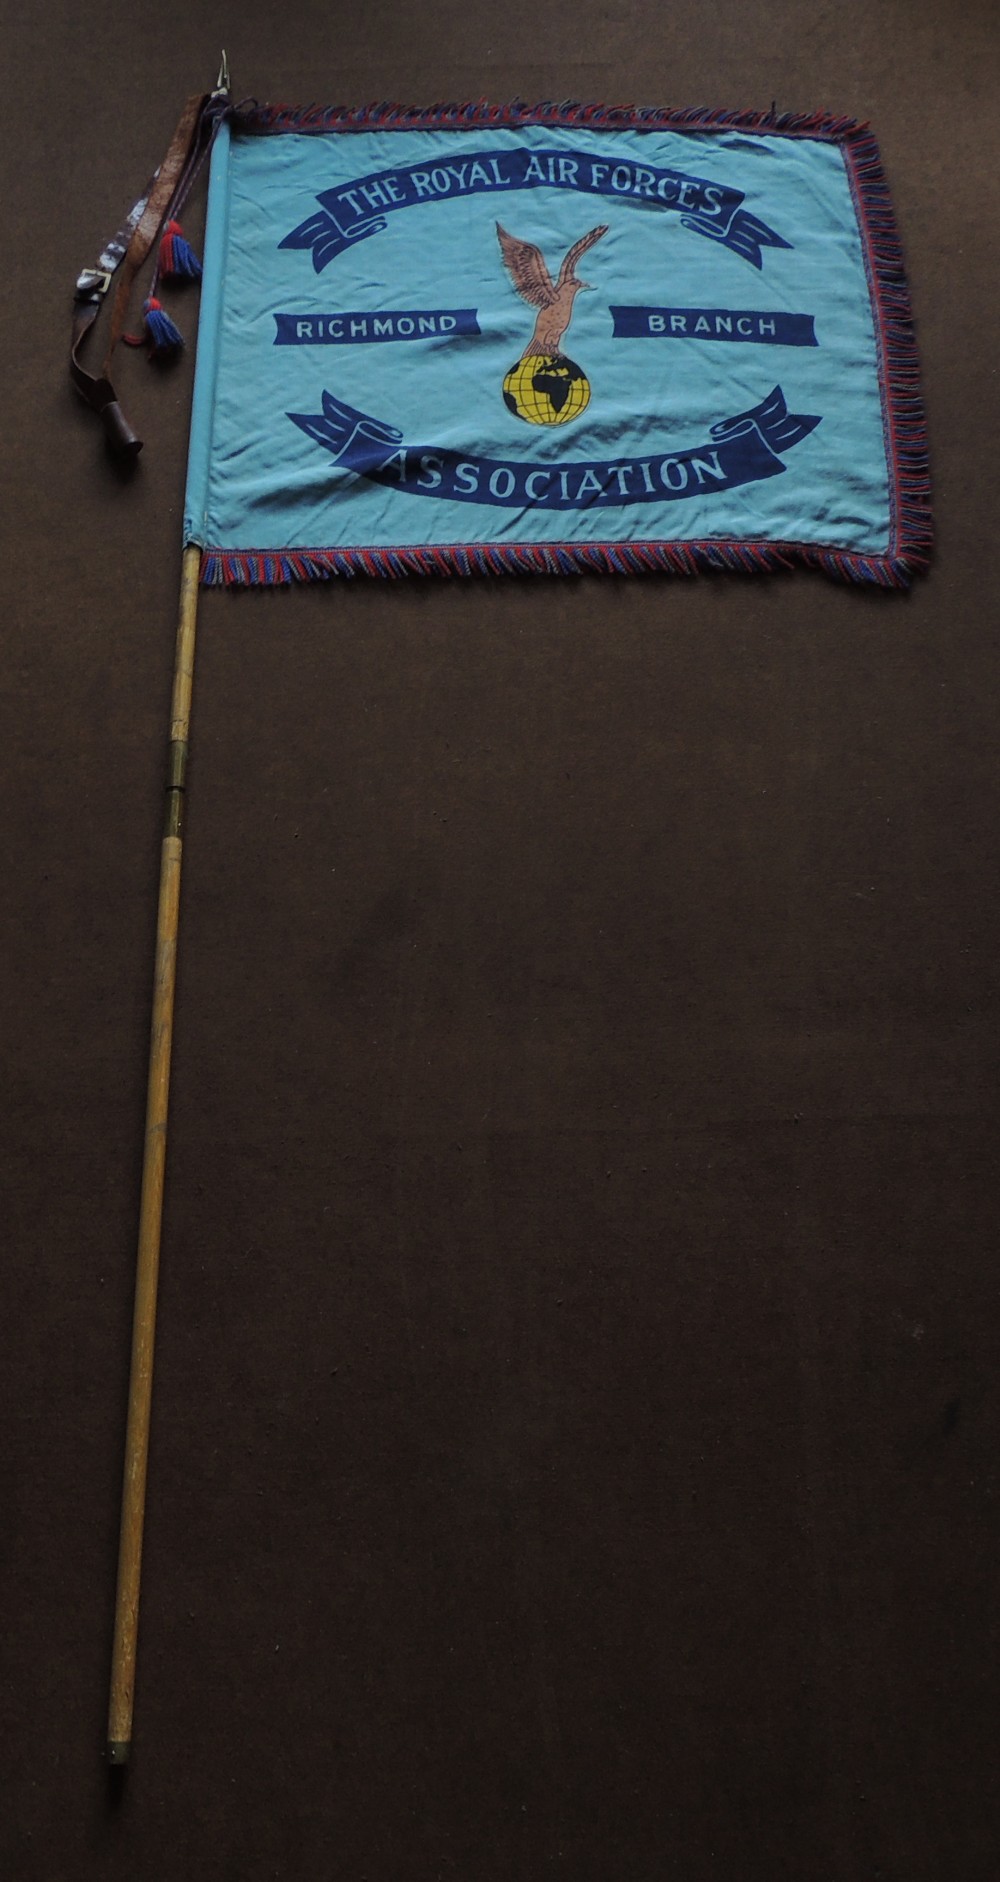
(152, 1207)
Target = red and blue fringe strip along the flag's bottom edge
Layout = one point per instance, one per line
(282, 567)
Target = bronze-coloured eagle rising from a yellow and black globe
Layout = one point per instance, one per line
(545, 387)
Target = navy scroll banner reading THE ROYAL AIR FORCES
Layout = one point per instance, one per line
(361, 210)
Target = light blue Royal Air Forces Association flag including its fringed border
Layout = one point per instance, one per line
(558, 340)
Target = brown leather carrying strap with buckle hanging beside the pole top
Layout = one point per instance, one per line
(129, 251)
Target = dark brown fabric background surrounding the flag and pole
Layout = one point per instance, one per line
(577, 1416)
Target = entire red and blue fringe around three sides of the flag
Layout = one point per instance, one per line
(911, 535)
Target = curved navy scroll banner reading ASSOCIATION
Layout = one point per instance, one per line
(741, 451)
